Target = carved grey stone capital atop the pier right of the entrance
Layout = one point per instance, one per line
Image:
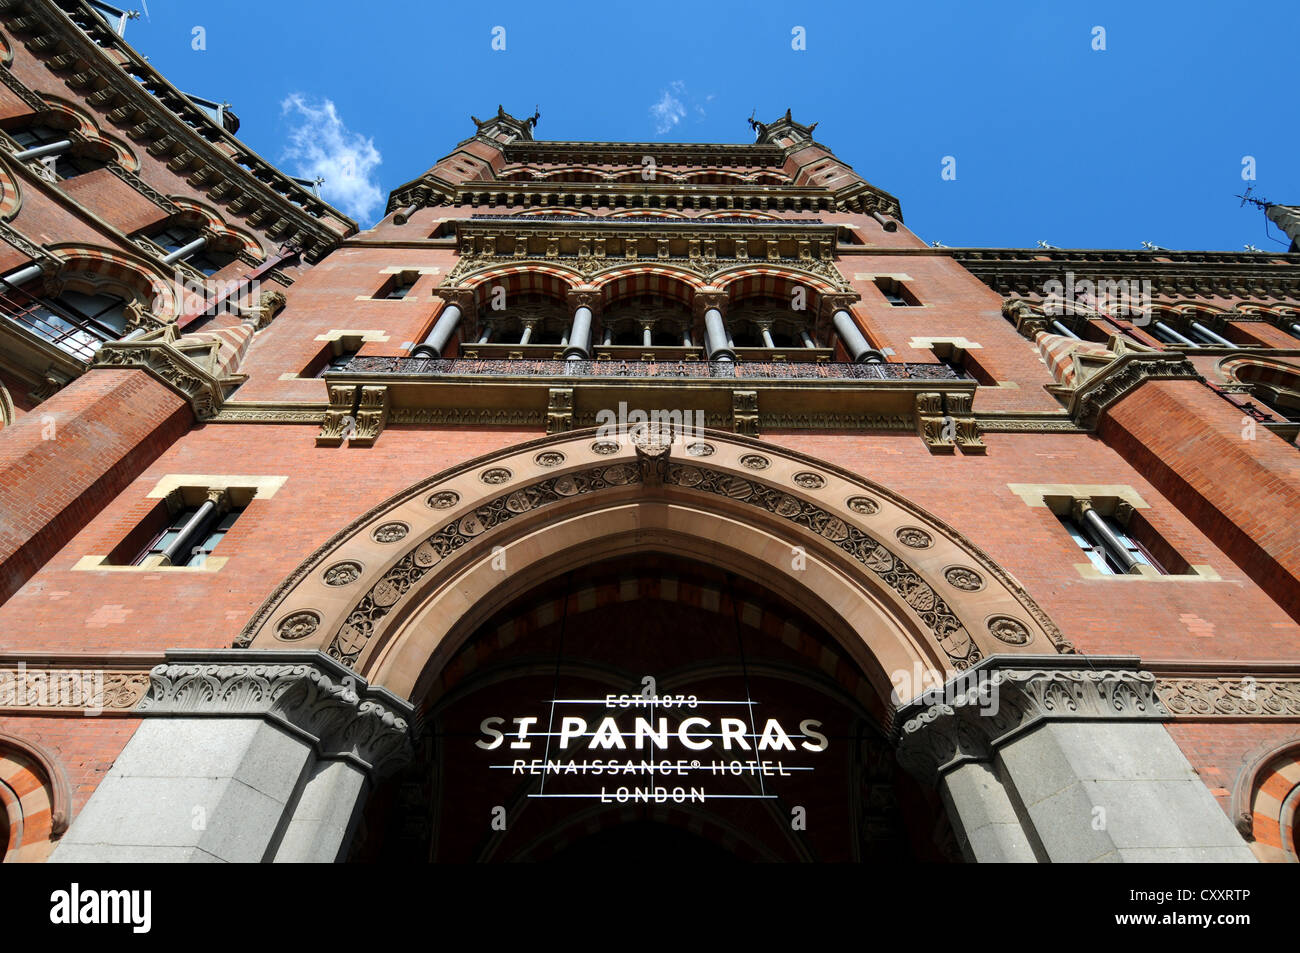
(1006, 696)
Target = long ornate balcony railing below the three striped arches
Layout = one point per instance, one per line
(681, 370)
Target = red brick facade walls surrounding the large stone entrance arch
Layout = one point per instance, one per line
(1212, 479)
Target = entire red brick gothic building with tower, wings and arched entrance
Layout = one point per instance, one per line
(617, 495)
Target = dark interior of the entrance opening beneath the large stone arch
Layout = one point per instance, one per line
(740, 731)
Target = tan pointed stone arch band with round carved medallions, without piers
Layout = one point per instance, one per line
(406, 584)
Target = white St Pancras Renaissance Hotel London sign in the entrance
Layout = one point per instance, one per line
(652, 750)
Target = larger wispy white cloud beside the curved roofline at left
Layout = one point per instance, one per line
(322, 146)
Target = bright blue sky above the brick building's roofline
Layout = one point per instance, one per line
(1052, 140)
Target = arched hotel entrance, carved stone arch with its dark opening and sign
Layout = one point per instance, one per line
(795, 604)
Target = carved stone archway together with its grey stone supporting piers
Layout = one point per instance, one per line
(322, 682)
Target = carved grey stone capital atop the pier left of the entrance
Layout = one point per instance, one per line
(305, 692)
